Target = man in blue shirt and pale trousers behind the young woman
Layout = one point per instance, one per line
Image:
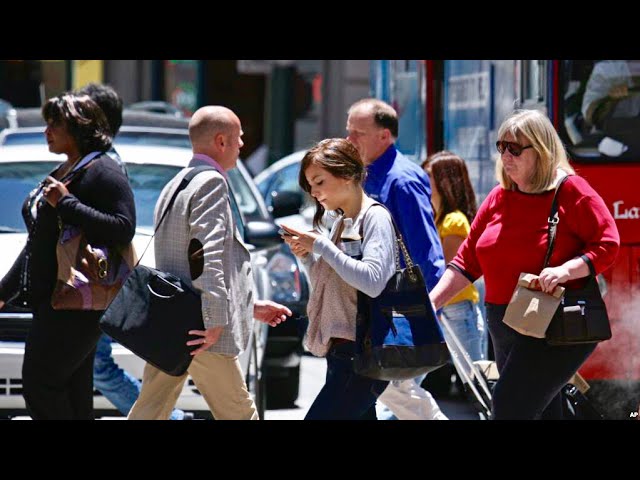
(403, 187)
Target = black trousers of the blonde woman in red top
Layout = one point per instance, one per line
(532, 373)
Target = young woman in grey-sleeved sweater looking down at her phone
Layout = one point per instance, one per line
(332, 172)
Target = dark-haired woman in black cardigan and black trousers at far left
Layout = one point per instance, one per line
(57, 372)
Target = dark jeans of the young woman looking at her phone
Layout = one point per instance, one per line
(345, 395)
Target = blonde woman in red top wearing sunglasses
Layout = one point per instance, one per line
(509, 235)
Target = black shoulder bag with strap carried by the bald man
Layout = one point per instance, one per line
(154, 311)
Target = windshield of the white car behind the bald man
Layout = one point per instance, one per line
(17, 179)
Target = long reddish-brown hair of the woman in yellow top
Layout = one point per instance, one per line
(451, 178)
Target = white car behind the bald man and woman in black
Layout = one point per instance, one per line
(153, 156)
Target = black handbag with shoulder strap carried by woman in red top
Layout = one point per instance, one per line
(582, 315)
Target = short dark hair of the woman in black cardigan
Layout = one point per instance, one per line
(83, 118)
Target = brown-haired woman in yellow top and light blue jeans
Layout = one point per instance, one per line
(454, 204)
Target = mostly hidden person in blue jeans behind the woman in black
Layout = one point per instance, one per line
(117, 385)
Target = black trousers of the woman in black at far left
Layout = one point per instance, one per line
(57, 373)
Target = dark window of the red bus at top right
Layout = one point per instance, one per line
(601, 103)
